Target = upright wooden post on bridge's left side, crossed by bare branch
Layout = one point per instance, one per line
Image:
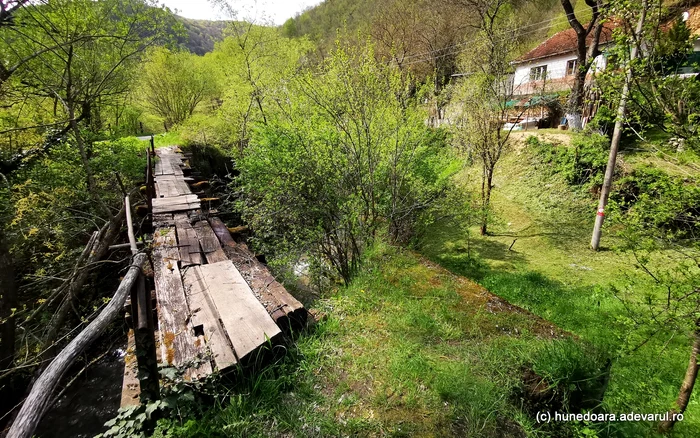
(142, 315)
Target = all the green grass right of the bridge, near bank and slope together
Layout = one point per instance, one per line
(414, 348)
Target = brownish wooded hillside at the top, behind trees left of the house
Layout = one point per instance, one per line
(419, 34)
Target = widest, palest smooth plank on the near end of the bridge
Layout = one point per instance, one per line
(245, 320)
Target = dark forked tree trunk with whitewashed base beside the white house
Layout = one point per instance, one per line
(587, 49)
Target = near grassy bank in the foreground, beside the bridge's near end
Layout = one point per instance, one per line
(408, 349)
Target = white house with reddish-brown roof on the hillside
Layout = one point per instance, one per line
(551, 66)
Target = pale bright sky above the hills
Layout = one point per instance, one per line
(277, 11)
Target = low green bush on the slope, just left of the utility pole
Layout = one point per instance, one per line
(582, 164)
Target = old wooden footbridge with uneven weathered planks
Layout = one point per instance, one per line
(216, 304)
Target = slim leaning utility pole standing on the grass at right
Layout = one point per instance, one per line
(617, 132)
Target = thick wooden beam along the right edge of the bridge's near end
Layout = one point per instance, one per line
(286, 310)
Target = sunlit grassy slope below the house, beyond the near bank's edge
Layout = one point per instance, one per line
(552, 273)
